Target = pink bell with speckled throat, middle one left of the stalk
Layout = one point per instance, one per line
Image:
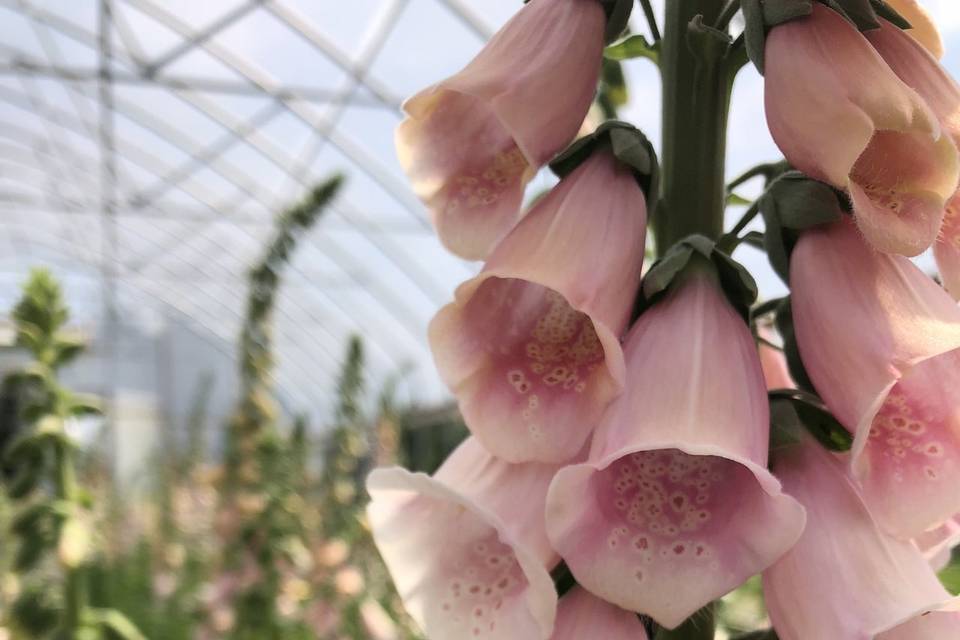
(531, 346)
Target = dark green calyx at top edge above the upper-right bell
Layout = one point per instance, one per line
(762, 15)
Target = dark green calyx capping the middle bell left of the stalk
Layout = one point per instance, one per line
(628, 145)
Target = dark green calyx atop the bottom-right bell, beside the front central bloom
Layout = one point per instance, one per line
(794, 413)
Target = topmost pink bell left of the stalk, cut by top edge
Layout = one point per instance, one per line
(472, 141)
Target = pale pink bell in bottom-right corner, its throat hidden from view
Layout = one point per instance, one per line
(846, 578)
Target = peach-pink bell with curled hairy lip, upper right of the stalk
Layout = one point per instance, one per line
(841, 115)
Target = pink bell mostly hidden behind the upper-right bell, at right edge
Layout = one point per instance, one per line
(921, 71)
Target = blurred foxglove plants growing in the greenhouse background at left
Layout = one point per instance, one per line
(253, 529)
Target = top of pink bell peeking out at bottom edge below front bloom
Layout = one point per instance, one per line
(583, 616)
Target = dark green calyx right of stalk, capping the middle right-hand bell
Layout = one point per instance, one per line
(791, 204)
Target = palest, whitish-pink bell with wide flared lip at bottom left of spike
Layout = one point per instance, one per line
(466, 547)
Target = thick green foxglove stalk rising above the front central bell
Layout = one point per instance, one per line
(696, 97)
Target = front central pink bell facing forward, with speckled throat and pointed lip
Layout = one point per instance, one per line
(675, 506)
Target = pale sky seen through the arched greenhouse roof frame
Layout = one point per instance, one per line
(194, 204)
